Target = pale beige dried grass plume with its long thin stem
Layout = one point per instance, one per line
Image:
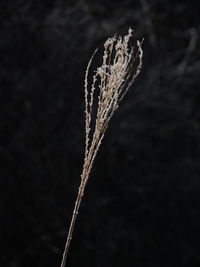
(109, 85)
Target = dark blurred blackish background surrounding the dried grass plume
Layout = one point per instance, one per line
(142, 203)
